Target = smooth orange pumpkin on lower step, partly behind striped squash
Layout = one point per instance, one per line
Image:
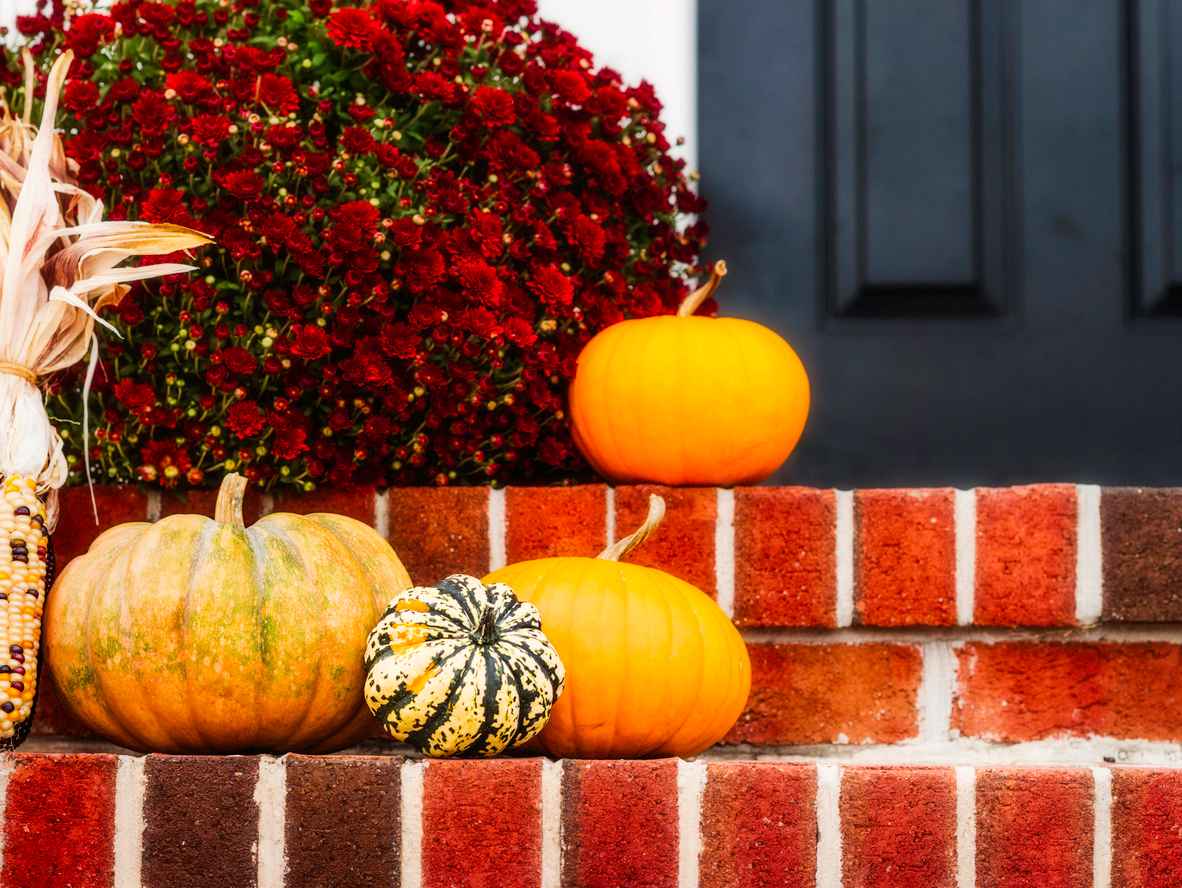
(653, 666)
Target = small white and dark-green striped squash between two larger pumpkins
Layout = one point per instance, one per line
(462, 669)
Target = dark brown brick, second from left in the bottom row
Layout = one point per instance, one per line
(202, 824)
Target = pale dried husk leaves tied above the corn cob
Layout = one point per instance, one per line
(60, 264)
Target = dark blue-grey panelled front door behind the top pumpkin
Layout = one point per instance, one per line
(967, 218)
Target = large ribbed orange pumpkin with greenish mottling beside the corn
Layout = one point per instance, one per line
(199, 636)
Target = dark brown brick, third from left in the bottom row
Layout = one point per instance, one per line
(342, 821)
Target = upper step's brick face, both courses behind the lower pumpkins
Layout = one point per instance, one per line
(956, 620)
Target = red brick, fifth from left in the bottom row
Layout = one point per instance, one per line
(620, 825)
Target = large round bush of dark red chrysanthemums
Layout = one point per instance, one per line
(424, 210)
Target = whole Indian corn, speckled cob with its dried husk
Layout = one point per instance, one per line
(59, 267)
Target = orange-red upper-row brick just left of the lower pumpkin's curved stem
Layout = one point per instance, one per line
(545, 522)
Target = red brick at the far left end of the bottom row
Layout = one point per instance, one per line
(60, 824)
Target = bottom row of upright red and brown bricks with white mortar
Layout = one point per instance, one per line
(296, 822)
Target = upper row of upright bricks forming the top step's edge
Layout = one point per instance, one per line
(1054, 555)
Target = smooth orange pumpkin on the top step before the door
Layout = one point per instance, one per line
(687, 400)
